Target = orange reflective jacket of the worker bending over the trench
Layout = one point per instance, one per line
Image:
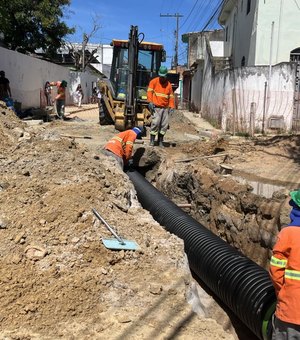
(122, 144)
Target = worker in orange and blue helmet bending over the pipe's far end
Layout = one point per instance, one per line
(120, 147)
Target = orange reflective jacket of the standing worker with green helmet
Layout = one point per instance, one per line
(161, 95)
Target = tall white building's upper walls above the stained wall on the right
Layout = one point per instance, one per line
(250, 35)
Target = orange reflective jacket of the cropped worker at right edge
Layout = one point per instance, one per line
(285, 274)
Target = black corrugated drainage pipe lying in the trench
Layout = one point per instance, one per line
(239, 282)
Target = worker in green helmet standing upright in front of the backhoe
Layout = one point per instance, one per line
(161, 100)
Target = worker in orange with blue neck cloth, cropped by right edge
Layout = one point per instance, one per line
(285, 274)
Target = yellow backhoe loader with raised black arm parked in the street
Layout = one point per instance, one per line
(124, 96)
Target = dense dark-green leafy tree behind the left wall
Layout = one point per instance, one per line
(28, 25)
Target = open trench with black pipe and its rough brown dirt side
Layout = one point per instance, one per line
(233, 272)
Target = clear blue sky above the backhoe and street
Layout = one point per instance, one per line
(114, 19)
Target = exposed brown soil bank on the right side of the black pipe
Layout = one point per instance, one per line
(247, 221)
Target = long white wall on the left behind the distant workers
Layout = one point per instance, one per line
(27, 76)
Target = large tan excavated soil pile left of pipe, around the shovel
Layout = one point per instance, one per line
(57, 279)
